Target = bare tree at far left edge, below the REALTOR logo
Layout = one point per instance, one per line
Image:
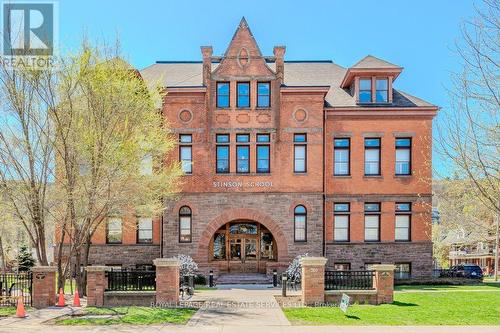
(26, 151)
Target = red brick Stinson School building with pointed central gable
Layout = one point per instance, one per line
(284, 158)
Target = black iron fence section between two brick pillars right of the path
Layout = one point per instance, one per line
(349, 280)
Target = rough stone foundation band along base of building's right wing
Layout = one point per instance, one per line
(418, 254)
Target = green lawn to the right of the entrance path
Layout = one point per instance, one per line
(453, 305)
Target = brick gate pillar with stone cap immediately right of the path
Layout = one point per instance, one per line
(313, 280)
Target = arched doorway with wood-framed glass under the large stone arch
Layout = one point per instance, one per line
(242, 247)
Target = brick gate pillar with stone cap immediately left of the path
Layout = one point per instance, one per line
(167, 280)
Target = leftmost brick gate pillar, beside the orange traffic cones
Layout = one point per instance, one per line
(44, 286)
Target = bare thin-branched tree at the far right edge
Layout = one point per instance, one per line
(470, 136)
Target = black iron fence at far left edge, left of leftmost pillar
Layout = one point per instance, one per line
(13, 286)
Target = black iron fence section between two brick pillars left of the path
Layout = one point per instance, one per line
(131, 280)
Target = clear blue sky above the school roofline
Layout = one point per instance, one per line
(418, 35)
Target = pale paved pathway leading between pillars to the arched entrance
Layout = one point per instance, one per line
(239, 305)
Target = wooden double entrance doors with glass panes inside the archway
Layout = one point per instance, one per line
(243, 253)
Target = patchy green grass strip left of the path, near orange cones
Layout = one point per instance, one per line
(137, 315)
